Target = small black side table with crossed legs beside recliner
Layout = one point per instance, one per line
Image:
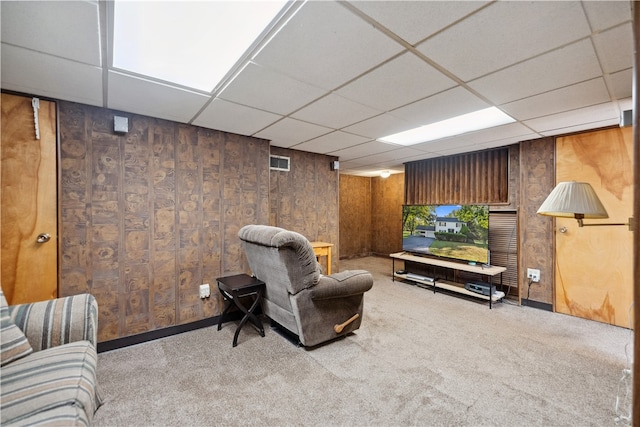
(235, 287)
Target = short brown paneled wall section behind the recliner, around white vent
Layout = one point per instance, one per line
(305, 199)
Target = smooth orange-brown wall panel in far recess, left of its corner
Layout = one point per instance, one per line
(355, 216)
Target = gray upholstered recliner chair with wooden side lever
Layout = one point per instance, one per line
(314, 307)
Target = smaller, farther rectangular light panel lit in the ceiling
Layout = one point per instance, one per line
(481, 119)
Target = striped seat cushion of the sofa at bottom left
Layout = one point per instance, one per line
(49, 380)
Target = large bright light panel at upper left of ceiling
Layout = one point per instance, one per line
(194, 44)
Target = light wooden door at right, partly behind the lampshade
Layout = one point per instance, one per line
(594, 265)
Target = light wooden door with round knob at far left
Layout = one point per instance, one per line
(29, 201)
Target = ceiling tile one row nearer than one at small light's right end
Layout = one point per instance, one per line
(571, 64)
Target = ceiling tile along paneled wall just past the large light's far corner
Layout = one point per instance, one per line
(235, 118)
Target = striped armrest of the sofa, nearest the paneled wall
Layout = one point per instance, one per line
(59, 321)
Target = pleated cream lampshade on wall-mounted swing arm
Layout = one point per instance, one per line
(573, 199)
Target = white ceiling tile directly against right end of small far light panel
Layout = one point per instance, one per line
(569, 98)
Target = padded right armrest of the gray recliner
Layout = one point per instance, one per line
(340, 285)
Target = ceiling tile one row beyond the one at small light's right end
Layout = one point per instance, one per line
(590, 115)
